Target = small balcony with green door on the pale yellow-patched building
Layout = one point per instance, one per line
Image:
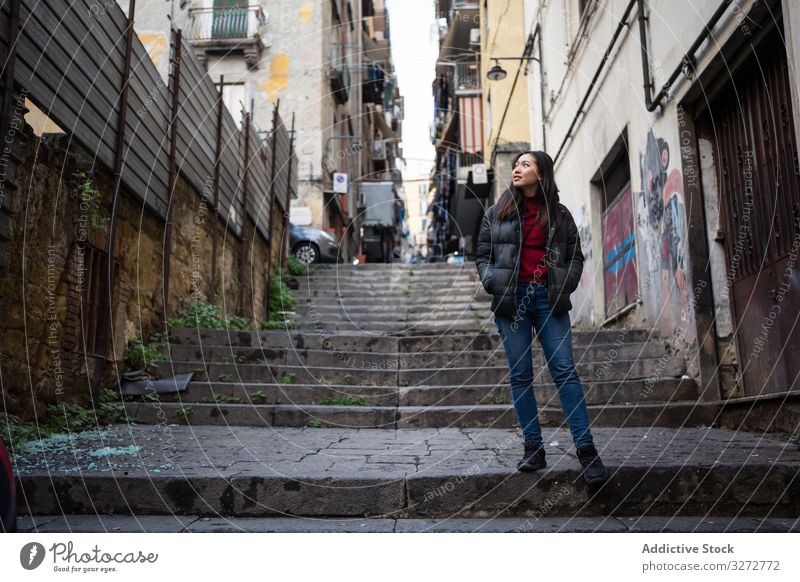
(229, 29)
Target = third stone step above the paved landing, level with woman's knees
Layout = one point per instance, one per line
(665, 367)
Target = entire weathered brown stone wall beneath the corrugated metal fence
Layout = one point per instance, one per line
(53, 228)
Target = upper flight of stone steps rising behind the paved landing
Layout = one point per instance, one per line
(409, 347)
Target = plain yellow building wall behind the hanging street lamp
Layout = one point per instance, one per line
(503, 34)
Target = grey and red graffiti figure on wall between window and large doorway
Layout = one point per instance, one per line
(662, 215)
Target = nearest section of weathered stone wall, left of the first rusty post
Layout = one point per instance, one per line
(42, 351)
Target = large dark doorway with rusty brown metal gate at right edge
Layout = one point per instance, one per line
(752, 130)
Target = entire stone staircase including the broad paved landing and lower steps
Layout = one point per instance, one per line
(390, 399)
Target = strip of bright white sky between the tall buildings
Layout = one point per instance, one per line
(415, 46)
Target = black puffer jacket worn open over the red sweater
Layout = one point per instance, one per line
(498, 256)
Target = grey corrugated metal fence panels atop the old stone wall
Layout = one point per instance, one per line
(70, 57)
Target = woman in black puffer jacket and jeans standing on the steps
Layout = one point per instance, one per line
(529, 258)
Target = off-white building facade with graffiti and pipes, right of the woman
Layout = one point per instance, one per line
(674, 133)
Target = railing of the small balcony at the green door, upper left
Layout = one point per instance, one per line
(227, 23)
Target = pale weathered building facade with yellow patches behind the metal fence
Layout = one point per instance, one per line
(327, 61)
